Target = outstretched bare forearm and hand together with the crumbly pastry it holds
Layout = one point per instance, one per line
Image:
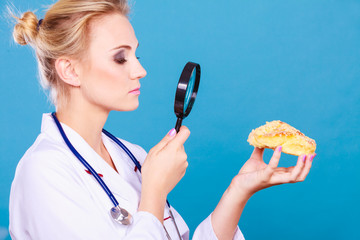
(256, 174)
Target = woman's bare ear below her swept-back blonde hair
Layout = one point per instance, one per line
(65, 68)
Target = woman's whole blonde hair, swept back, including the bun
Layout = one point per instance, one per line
(64, 31)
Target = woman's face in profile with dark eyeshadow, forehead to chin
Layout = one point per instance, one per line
(111, 71)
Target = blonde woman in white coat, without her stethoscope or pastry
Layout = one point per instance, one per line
(86, 55)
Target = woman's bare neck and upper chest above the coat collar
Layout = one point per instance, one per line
(87, 121)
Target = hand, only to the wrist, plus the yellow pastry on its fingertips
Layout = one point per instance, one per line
(256, 174)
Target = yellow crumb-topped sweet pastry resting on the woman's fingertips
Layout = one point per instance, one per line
(277, 133)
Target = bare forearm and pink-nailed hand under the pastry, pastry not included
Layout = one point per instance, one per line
(252, 177)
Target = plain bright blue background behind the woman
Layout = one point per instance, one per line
(293, 60)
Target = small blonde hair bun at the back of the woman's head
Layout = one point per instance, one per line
(25, 31)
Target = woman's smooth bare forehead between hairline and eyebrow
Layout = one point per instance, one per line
(111, 30)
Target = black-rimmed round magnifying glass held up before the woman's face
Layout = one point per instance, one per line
(186, 92)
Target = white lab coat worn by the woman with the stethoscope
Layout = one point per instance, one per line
(53, 197)
